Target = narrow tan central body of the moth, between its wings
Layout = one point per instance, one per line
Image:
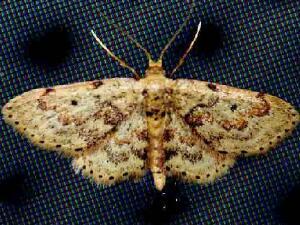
(155, 113)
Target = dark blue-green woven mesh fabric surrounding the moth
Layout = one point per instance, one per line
(259, 51)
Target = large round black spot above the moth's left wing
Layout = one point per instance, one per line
(51, 48)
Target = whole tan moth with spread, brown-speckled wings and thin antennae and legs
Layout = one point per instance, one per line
(118, 129)
